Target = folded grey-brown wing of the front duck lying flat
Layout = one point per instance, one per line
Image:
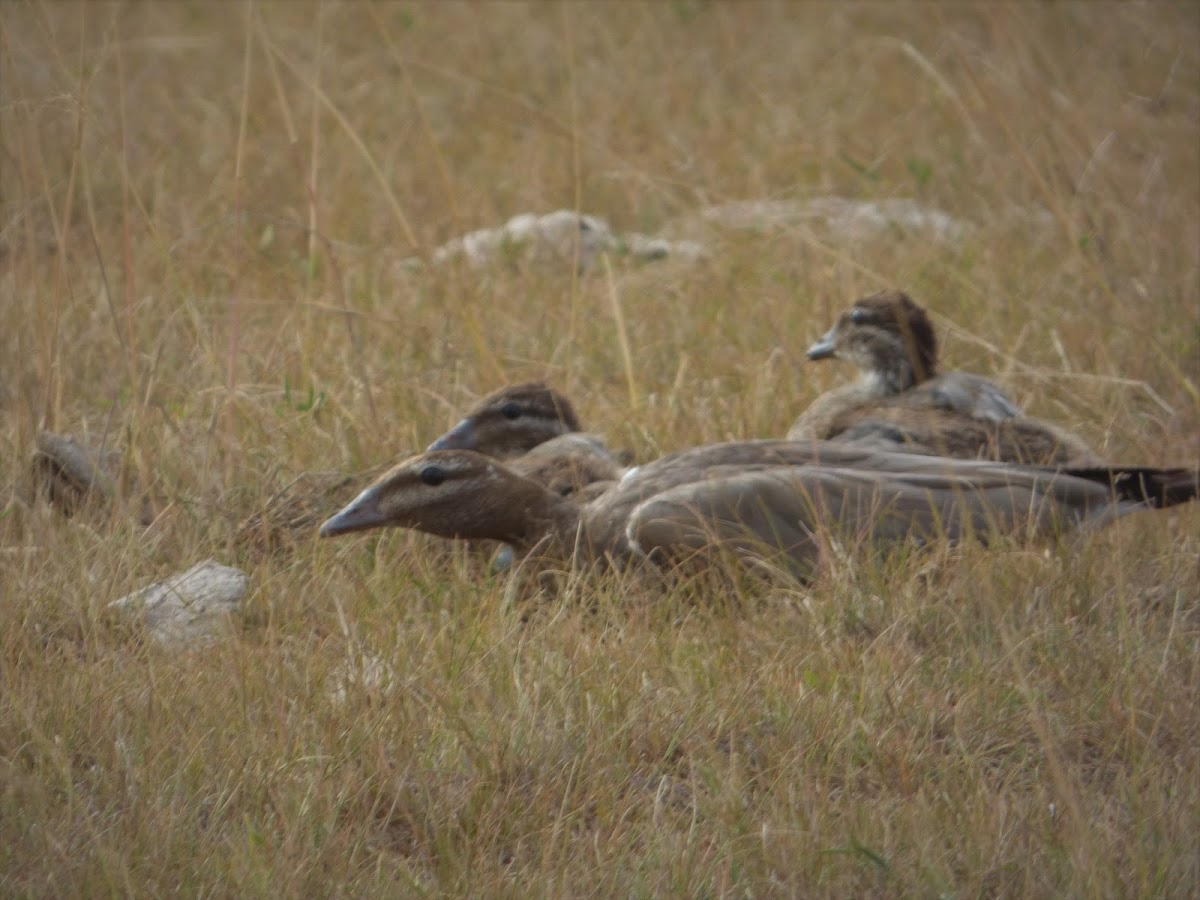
(795, 514)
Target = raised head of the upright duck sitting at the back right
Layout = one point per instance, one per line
(887, 337)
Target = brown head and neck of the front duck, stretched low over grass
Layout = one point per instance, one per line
(454, 494)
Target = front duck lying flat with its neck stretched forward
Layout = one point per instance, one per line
(746, 497)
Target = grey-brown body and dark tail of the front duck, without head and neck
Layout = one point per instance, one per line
(783, 495)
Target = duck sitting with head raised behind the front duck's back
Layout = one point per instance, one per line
(902, 403)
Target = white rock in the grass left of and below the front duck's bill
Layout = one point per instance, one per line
(191, 607)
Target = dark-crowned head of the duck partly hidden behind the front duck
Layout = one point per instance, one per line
(512, 422)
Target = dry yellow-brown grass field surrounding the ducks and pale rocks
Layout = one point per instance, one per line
(205, 209)
